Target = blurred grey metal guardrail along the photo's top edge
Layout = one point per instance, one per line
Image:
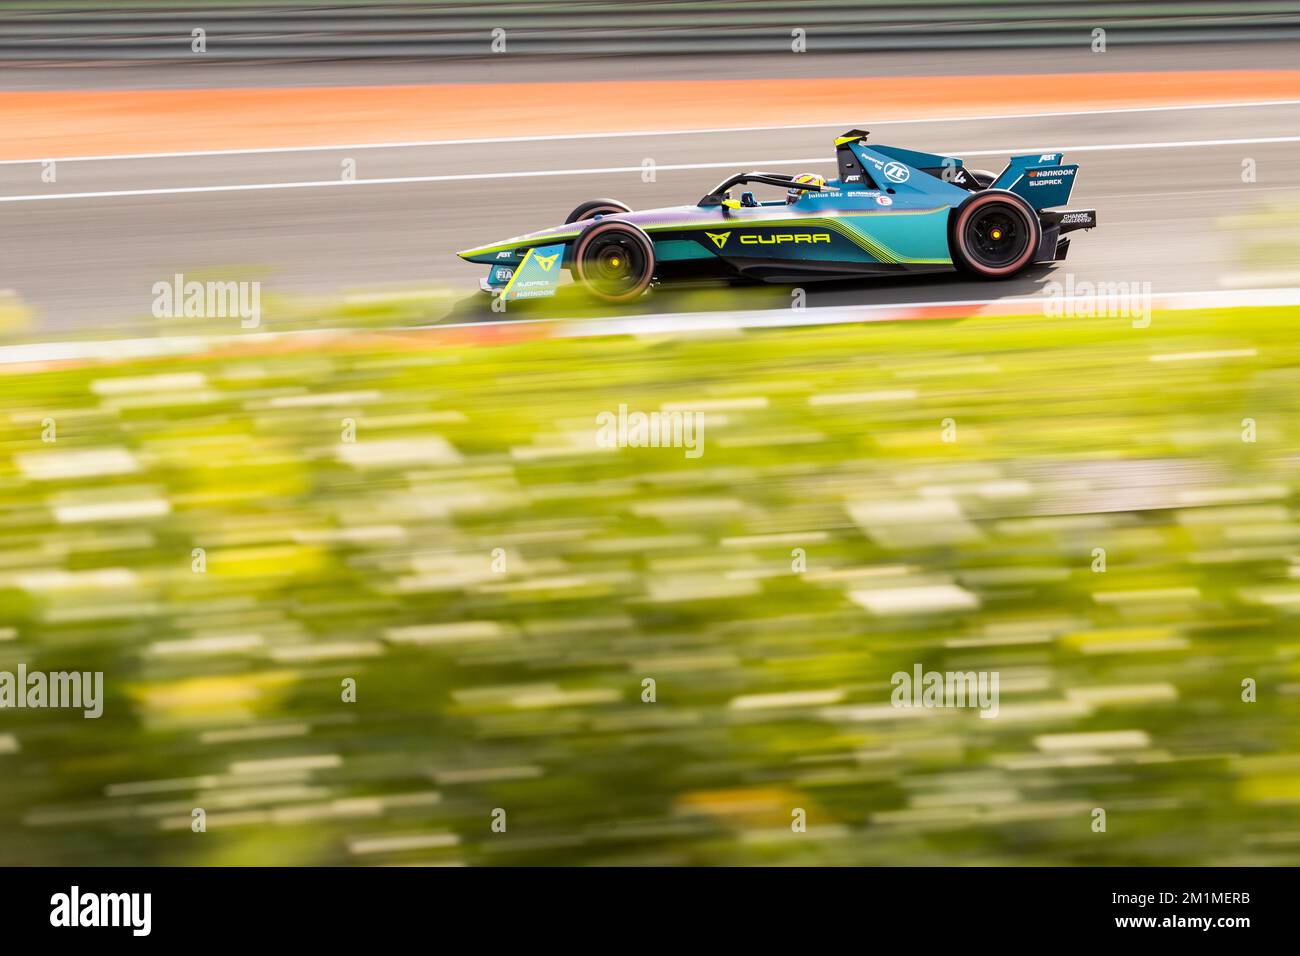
(294, 32)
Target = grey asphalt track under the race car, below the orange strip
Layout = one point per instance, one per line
(89, 248)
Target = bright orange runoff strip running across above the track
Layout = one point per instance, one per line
(51, 124)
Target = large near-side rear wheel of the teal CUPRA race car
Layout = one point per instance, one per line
(994, 235)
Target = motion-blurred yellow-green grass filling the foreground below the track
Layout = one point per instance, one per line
(480, 689)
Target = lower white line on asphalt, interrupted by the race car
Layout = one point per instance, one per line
(595, 171)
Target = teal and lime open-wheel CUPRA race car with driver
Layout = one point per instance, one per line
(890, 211)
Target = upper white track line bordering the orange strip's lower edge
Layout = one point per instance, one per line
(562, 137)
